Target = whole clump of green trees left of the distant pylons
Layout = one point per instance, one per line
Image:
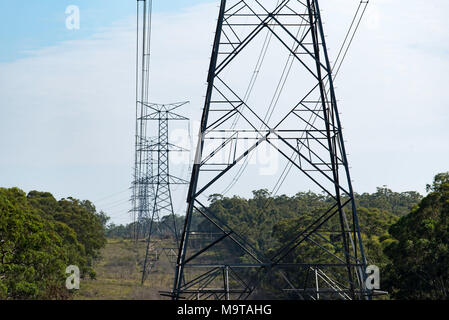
(41, 236)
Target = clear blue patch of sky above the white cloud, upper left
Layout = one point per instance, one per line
(33, 24)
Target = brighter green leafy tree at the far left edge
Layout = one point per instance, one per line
(31, 255)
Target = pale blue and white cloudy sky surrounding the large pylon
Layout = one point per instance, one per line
(67, 97)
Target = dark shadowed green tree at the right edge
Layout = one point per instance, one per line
(420, 251)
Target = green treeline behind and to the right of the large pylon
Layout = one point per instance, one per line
(405, 234)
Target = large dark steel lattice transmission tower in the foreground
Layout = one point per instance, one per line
(294, 113)
